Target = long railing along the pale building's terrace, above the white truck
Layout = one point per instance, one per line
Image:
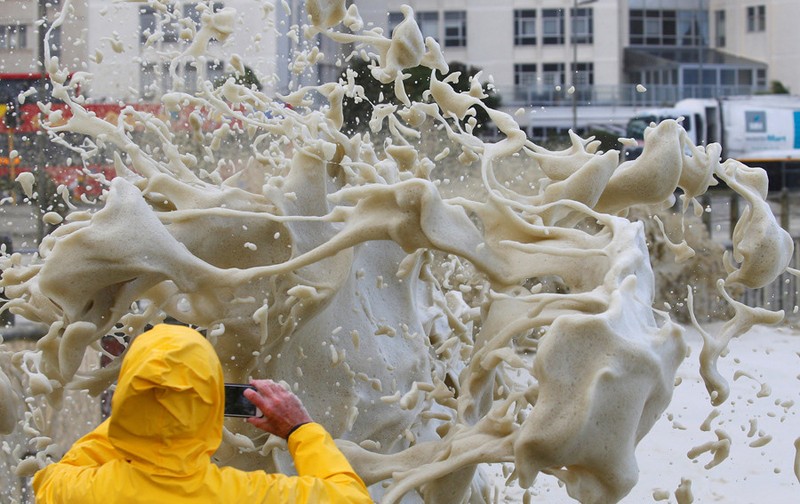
(620, 95)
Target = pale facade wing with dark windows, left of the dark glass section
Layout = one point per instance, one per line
(533, 50)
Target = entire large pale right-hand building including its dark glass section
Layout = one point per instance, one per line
(536, 50)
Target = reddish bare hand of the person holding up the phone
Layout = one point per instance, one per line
(282, 410)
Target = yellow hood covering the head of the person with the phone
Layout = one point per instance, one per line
(167, 410)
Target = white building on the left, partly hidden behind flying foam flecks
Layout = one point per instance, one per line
(128, 46)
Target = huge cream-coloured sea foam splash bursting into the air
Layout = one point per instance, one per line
(334, 262)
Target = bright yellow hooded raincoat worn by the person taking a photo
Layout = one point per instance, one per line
(165, 424)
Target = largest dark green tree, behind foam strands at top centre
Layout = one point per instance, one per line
(356, 115)
